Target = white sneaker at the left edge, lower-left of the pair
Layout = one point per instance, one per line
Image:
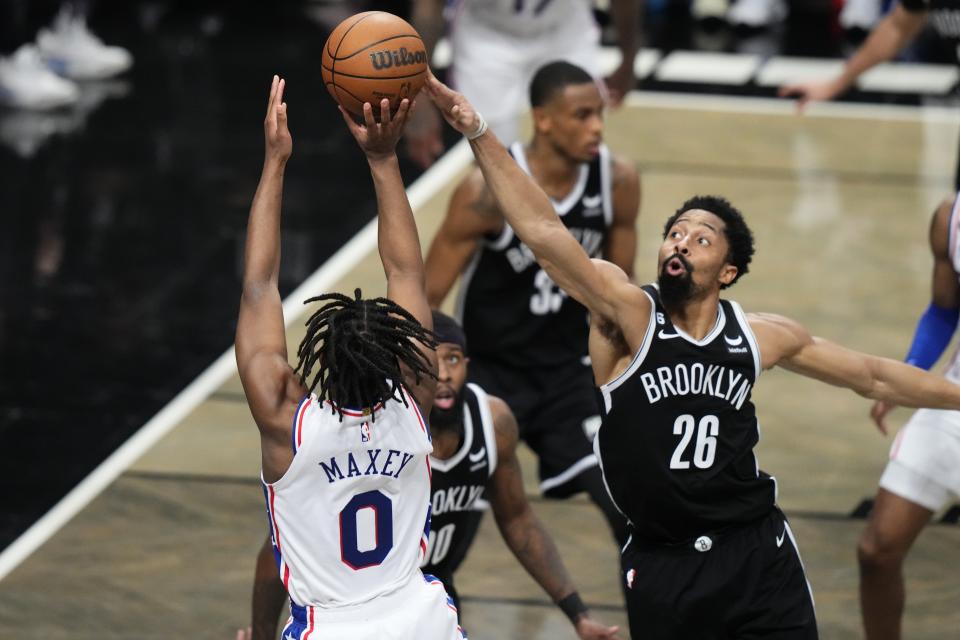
(26, 82)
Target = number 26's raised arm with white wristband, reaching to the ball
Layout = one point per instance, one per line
(527, 208)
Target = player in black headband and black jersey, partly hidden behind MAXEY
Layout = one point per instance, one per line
(474, 449)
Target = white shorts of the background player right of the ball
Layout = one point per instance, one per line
(494, 69)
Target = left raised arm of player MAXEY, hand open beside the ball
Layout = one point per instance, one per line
(261, 349)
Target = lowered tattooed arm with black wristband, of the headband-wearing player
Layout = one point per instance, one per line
(525, 534)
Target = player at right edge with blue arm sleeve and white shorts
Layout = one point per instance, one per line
(923, 474)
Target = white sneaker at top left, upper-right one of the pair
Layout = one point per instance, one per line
(71, 50)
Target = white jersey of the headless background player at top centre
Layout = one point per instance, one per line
(527, 18)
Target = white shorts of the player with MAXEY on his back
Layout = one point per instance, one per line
(421, 609)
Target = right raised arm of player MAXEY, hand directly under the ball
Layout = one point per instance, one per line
(397, 238)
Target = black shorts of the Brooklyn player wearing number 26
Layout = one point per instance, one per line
(749, 583)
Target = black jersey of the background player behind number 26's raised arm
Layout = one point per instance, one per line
(510, 309)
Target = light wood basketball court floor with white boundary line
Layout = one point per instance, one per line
(160, 541)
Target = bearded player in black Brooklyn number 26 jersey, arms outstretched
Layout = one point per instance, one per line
(711, 555)
